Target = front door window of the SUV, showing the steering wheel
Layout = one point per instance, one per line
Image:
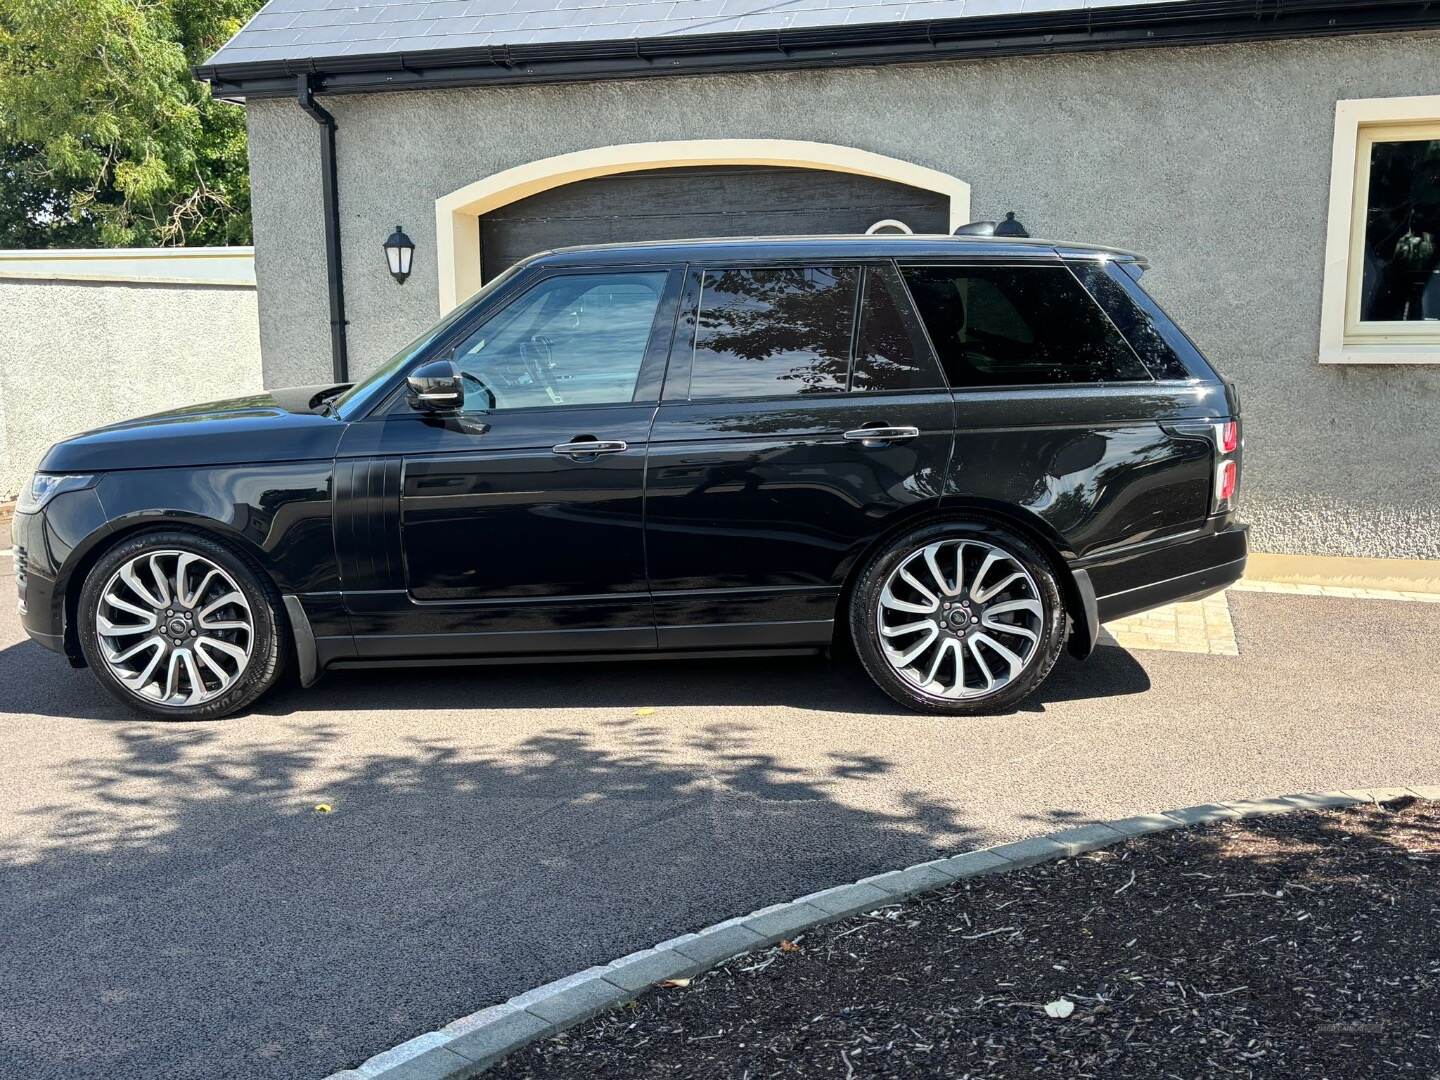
(577, 339)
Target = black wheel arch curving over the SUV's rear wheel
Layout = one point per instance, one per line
(1074, 588)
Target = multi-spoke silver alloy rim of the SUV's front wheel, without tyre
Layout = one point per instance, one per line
(175, 629)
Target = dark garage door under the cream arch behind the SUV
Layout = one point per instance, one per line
(676, 204)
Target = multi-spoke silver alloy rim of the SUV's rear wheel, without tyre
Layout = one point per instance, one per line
(960, 618)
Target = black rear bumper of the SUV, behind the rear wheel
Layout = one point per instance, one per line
(1170, 574)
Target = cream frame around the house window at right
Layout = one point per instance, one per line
(1344, 339)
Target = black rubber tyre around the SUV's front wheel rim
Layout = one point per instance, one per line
(267, 653)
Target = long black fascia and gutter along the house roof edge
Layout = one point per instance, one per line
(1184, 22)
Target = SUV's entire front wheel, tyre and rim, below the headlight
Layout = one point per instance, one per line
(179, 627)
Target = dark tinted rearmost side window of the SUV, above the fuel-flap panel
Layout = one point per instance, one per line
(1019, 326)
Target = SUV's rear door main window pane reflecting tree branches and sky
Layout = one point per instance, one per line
(774, 332)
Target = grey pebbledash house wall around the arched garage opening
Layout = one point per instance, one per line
(1212, 161)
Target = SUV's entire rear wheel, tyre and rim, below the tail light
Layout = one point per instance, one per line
(958, 618)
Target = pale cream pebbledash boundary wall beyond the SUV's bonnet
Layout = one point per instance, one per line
(91, 338)
